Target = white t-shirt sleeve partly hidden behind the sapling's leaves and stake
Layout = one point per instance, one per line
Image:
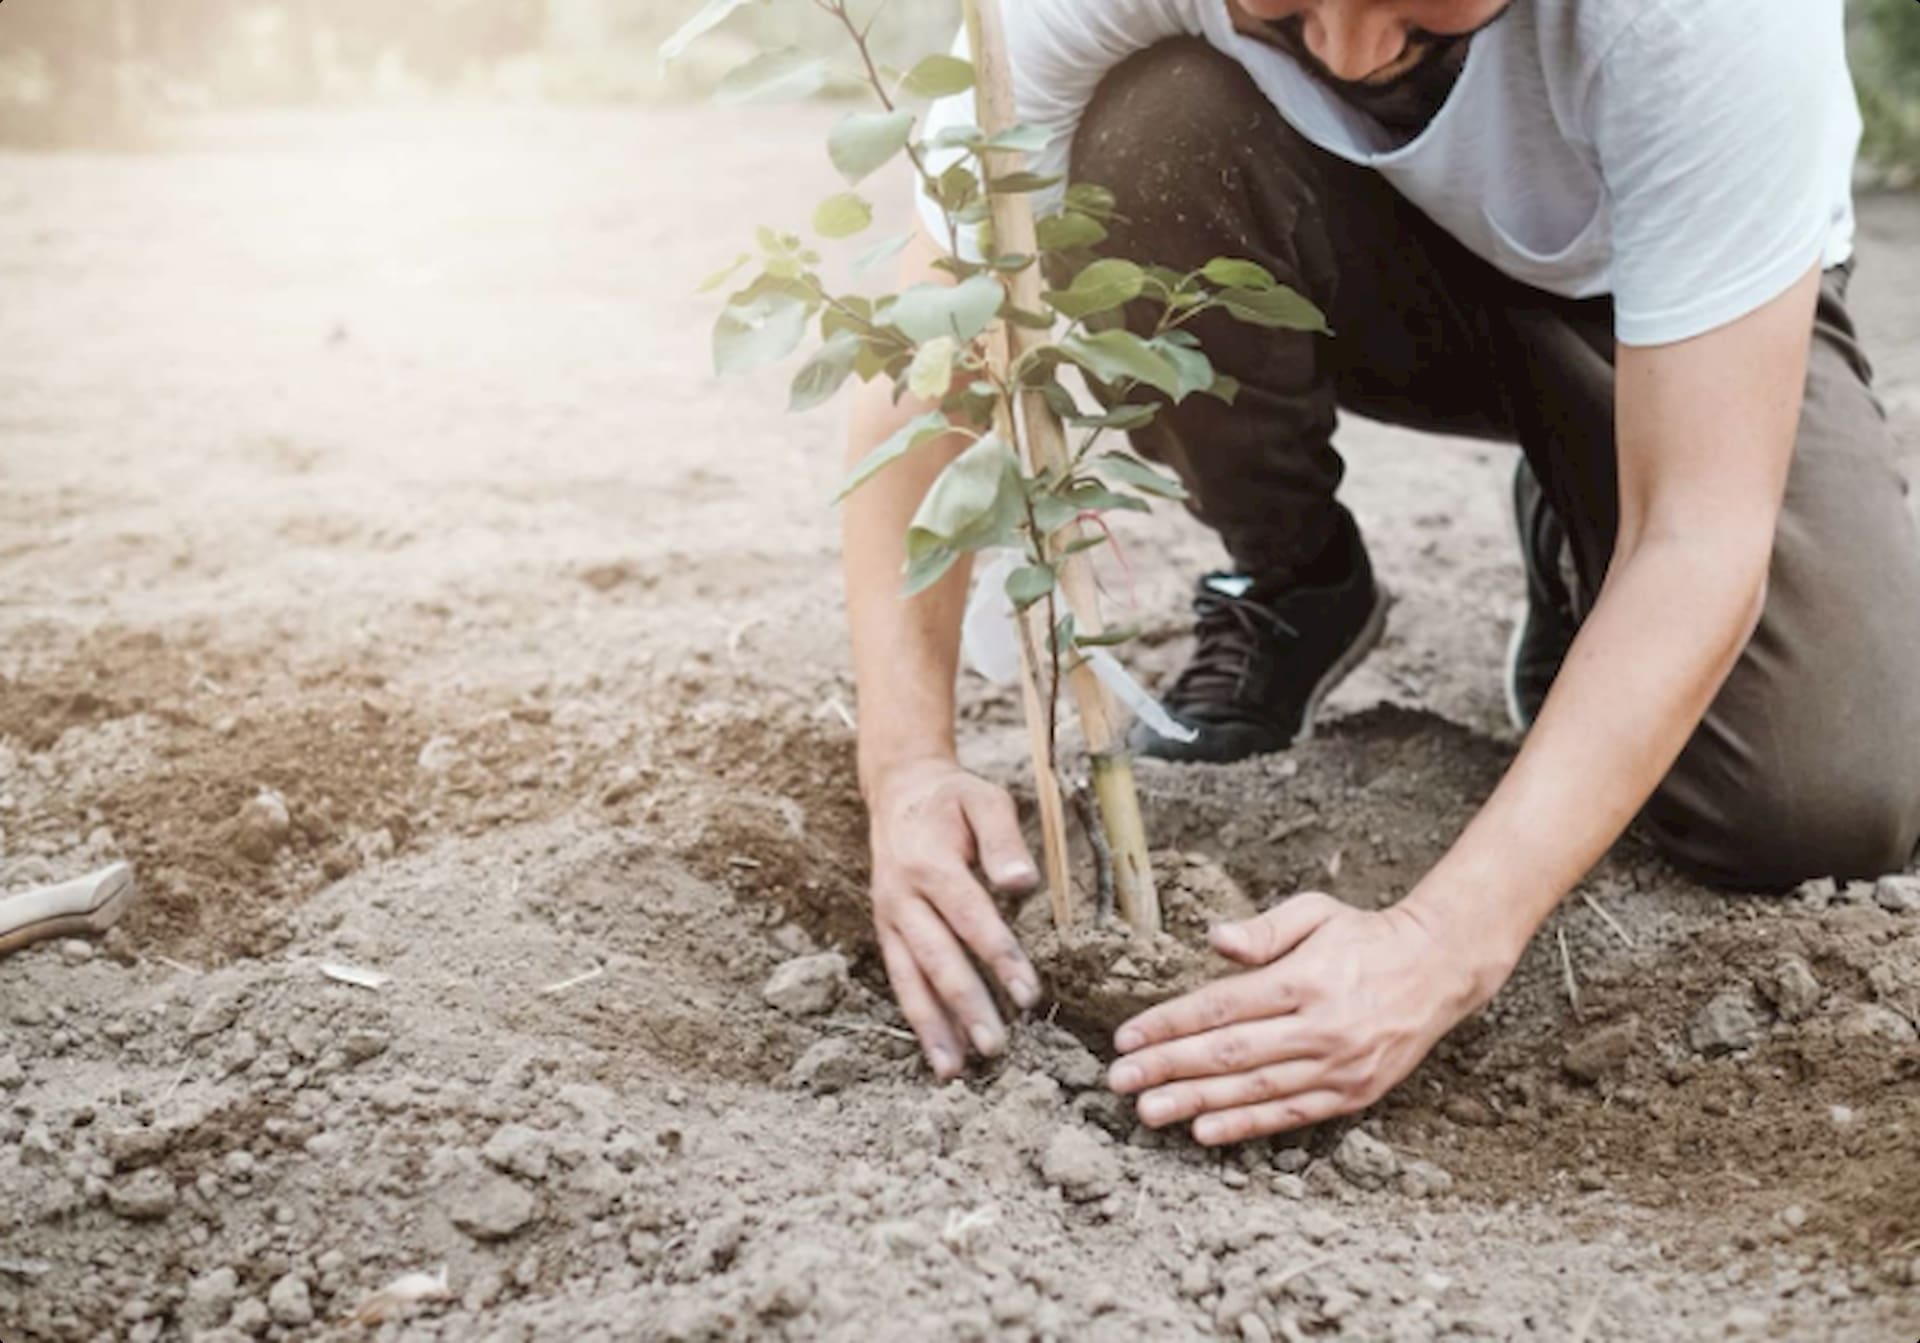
(1061, 51)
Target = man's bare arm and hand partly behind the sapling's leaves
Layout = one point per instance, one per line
(932, 823)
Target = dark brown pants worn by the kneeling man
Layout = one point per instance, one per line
(1810, 760)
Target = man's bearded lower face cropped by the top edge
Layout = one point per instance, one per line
(1368, 43)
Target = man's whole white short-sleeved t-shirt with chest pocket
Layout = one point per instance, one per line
(1692, 159)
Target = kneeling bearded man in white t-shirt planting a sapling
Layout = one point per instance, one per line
(1612, 232)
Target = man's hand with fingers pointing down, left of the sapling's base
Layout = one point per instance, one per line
(932, 827)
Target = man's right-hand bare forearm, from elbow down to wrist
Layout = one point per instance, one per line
(1639, 679)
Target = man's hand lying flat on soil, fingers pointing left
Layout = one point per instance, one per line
(1341, 1008)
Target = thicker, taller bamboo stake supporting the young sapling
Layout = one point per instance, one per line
(1047, 449)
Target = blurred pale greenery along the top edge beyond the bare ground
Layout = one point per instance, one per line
(112, 72)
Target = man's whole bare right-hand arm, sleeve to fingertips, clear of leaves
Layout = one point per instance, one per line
(1345, 1004)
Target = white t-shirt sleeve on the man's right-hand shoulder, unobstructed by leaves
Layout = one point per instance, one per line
(1727, 157)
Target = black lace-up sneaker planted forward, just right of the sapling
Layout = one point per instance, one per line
(1264, 660)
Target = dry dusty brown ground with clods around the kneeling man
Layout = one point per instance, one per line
(373, 462)
